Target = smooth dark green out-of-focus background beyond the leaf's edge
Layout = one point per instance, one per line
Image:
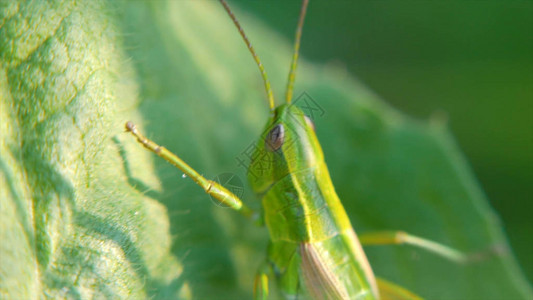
(472, 60)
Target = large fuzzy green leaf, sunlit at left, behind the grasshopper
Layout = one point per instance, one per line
(87, 212)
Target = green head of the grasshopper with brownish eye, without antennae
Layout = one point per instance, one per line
(287, 145)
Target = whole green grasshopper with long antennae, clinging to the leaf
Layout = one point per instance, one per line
(314, 252)
